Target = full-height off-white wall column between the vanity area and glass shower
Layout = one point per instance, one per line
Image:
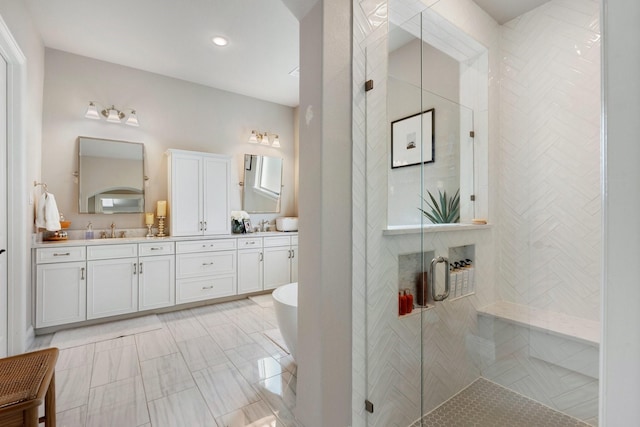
(324, 314)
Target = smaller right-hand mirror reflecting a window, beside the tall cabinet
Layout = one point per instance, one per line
(262, 184)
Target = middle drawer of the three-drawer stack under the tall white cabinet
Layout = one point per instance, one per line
(202, 264)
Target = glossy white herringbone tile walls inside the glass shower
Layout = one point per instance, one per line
(546, 232)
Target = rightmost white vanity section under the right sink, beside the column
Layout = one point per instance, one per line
(278, 260)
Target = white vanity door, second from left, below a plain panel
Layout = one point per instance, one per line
(112, 287)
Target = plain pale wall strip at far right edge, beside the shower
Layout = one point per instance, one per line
(620, 347)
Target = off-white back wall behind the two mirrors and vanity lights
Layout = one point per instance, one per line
(172, 114)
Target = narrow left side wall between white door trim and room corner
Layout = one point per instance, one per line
(17, 17)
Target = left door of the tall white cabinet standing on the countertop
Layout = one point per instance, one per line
(186, 195)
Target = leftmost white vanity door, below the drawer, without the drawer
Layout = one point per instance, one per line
(61, 293)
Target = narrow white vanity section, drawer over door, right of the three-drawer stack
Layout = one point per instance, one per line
(250, 269)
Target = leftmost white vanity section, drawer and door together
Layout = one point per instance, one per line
(61, 286)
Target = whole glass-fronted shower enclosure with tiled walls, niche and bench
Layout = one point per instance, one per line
(501, 121)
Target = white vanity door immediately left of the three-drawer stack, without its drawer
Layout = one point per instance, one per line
(156, 281)
